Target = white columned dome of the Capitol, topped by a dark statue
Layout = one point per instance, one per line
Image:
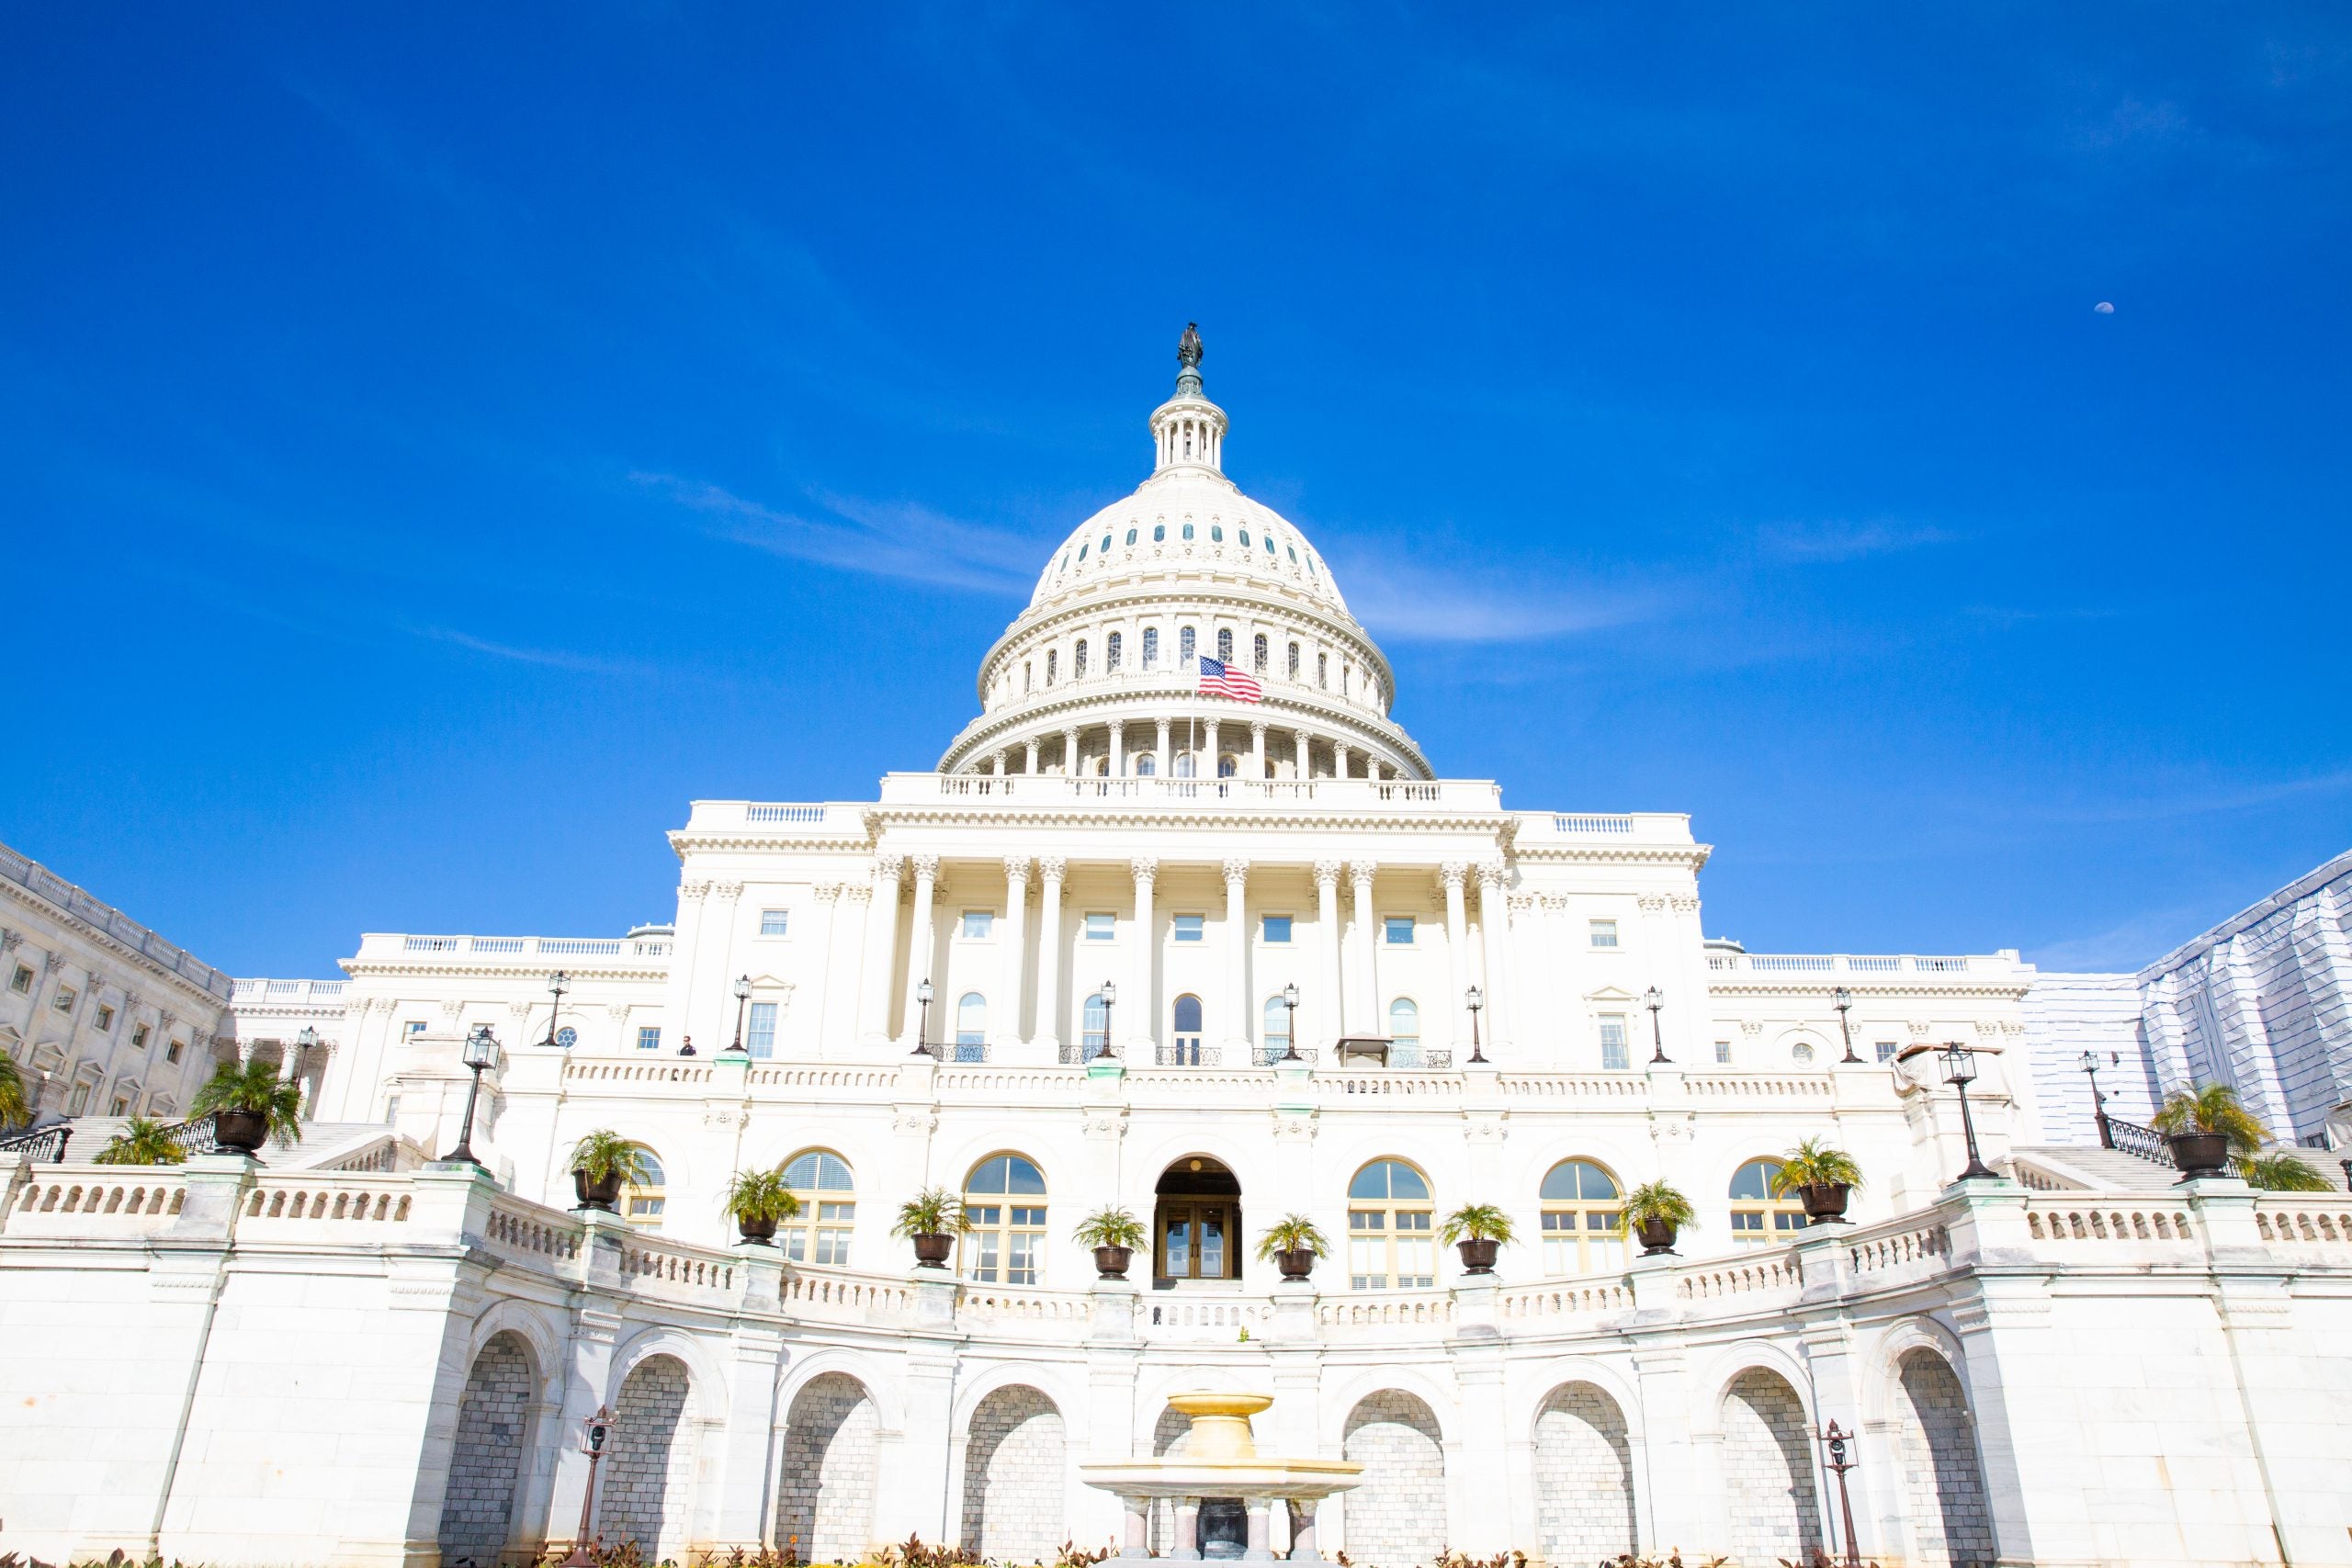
(1102, 671)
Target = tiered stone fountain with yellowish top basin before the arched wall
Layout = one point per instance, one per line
(1217, 1473)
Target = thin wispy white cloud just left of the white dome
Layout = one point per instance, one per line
(900, 542)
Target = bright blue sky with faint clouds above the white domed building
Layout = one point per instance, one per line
(439, 445)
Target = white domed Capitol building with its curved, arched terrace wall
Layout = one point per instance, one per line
(1182, 923)
